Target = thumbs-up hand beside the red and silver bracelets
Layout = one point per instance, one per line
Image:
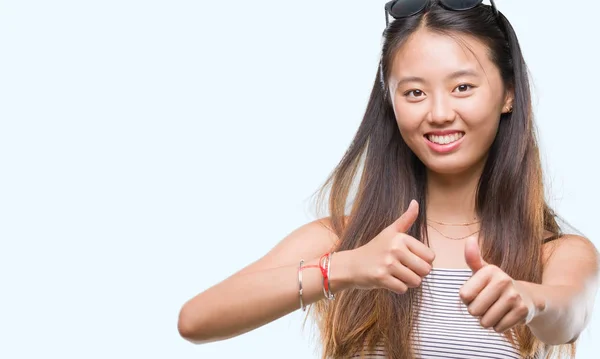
(393, 259)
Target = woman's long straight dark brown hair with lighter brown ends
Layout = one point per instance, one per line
(510, 195)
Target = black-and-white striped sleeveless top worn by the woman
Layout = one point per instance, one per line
(445, 329)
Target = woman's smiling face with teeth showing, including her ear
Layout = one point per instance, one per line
(447, 96)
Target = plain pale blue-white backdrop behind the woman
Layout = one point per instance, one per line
(148, 149)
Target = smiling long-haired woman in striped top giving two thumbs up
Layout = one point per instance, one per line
(446, 248)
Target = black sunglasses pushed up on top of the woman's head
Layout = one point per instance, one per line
(405, 8)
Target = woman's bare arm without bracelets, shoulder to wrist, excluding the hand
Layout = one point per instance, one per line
(565, 298)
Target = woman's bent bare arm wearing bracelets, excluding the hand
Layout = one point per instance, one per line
(265, 290)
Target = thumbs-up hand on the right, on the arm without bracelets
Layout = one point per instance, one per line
(492, 295)
